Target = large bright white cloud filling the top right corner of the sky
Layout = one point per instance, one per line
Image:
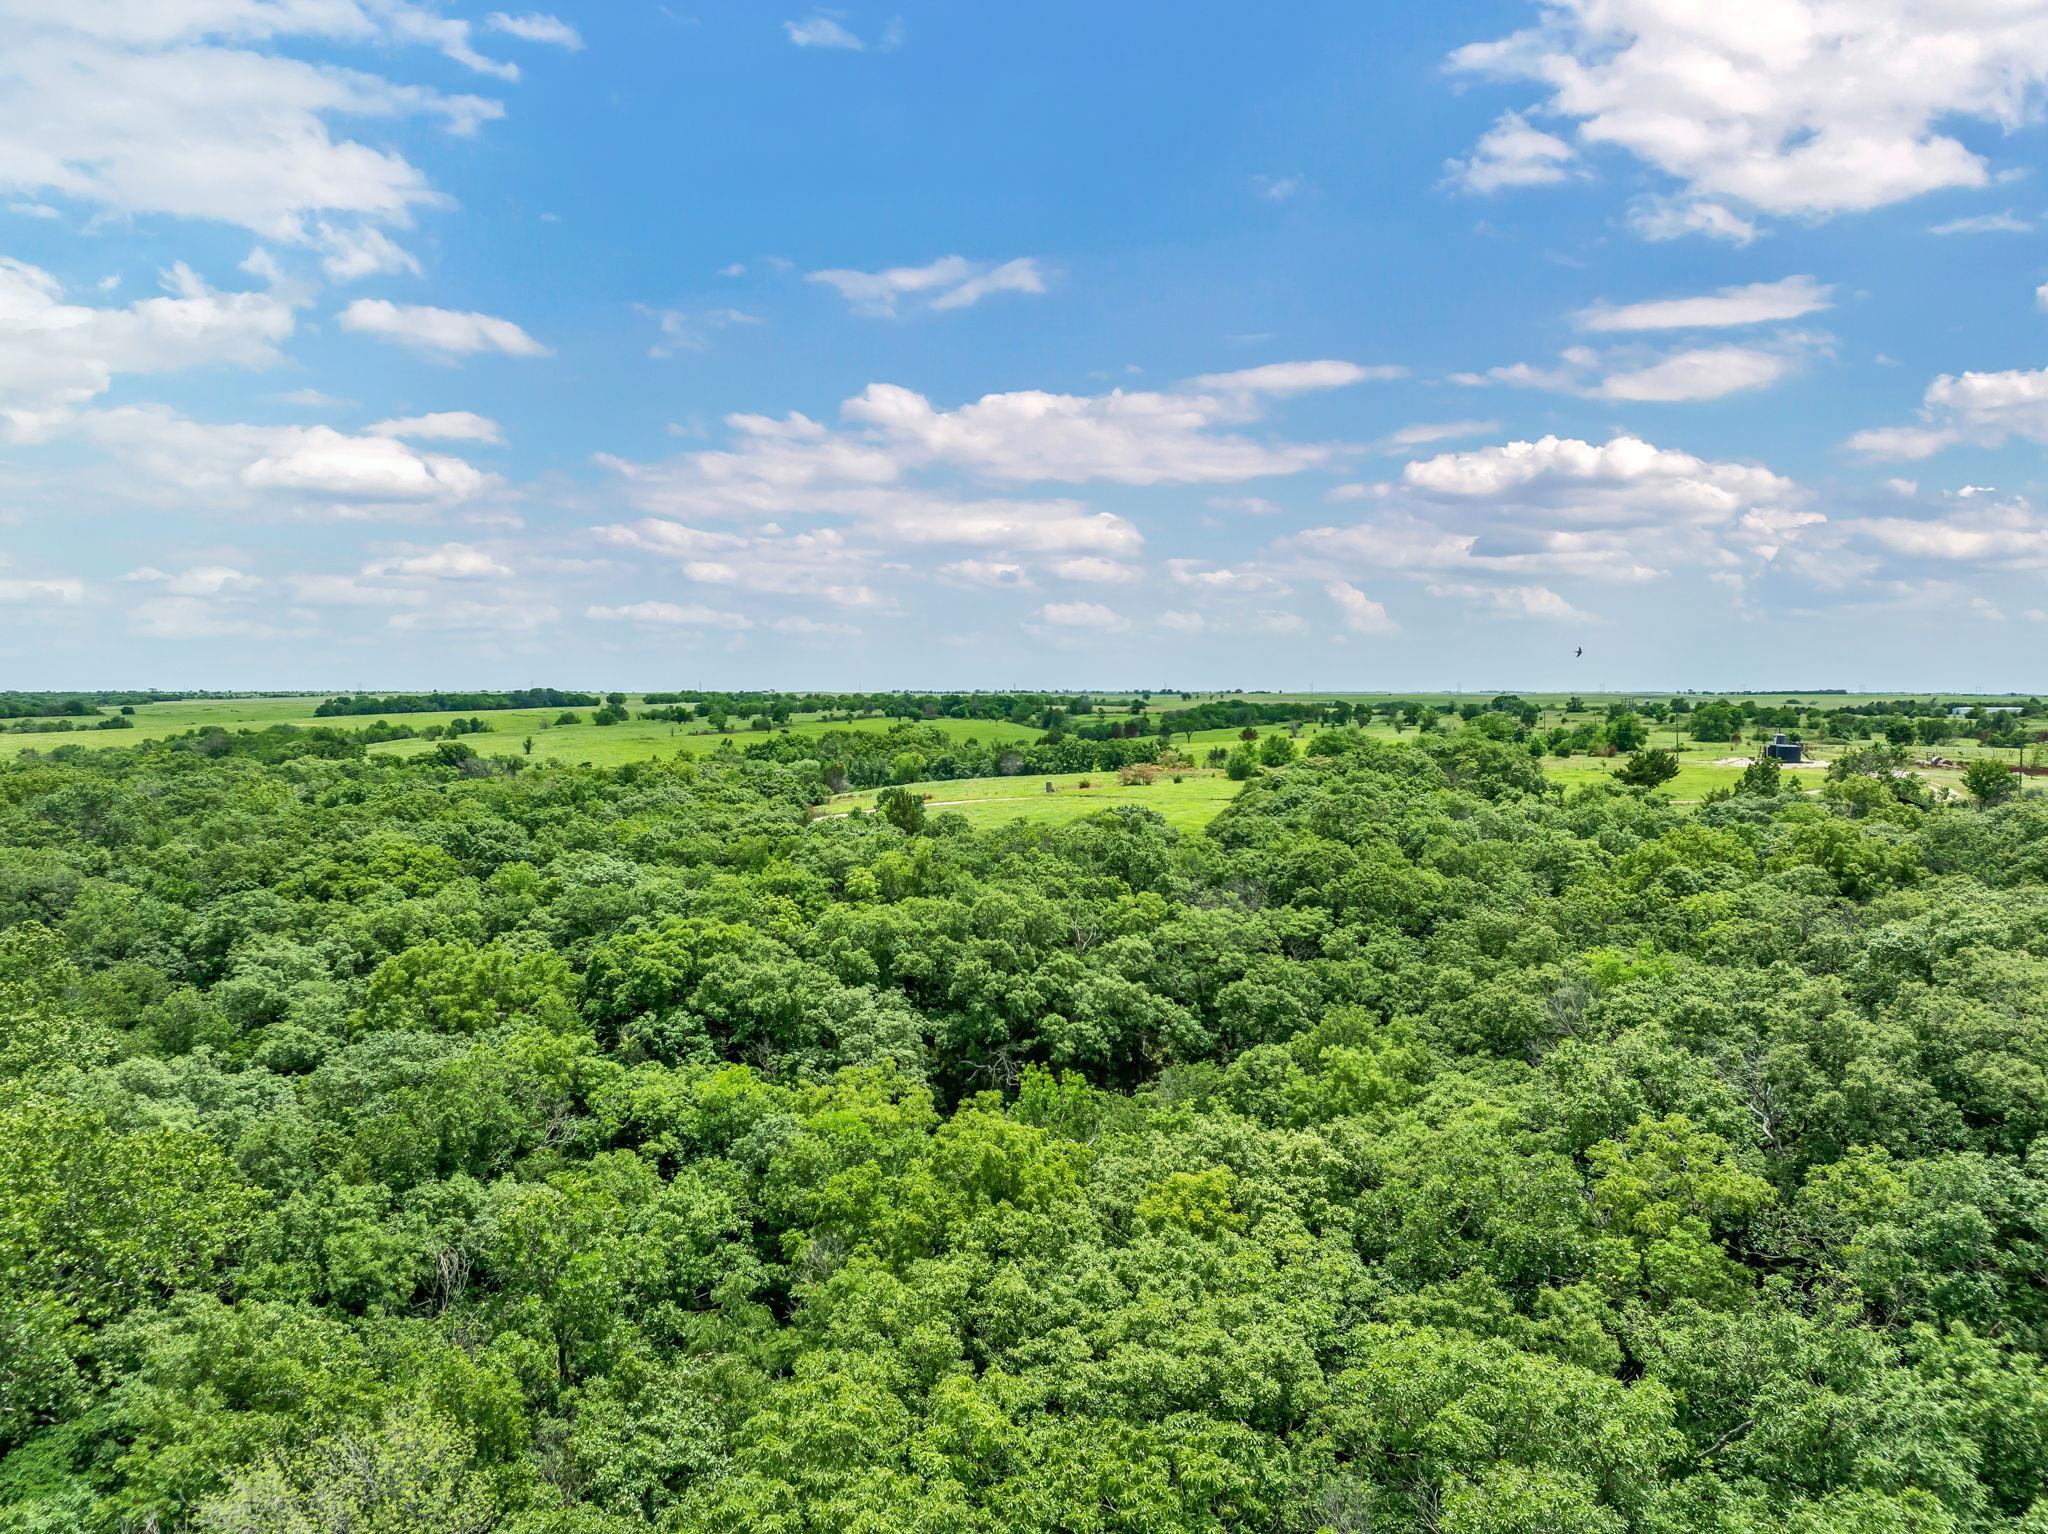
(1799, 108)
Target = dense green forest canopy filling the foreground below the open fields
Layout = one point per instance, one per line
(464, 1144)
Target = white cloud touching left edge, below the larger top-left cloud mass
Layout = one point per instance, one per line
(58, 355)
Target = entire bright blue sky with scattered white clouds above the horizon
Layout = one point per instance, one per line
(374, 343)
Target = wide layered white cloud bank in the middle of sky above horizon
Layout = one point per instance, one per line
(896, 480)
